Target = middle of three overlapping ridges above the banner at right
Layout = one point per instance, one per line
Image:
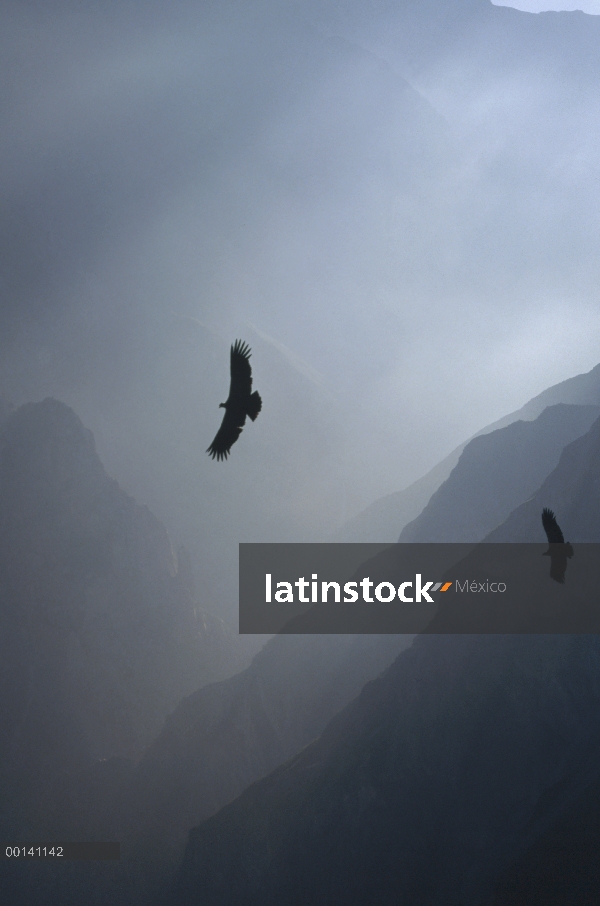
(495, 473)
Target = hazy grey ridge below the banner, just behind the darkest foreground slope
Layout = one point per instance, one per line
(225, 736)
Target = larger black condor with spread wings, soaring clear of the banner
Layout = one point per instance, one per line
(240, 402)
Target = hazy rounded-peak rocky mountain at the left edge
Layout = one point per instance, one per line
(100, 634)
